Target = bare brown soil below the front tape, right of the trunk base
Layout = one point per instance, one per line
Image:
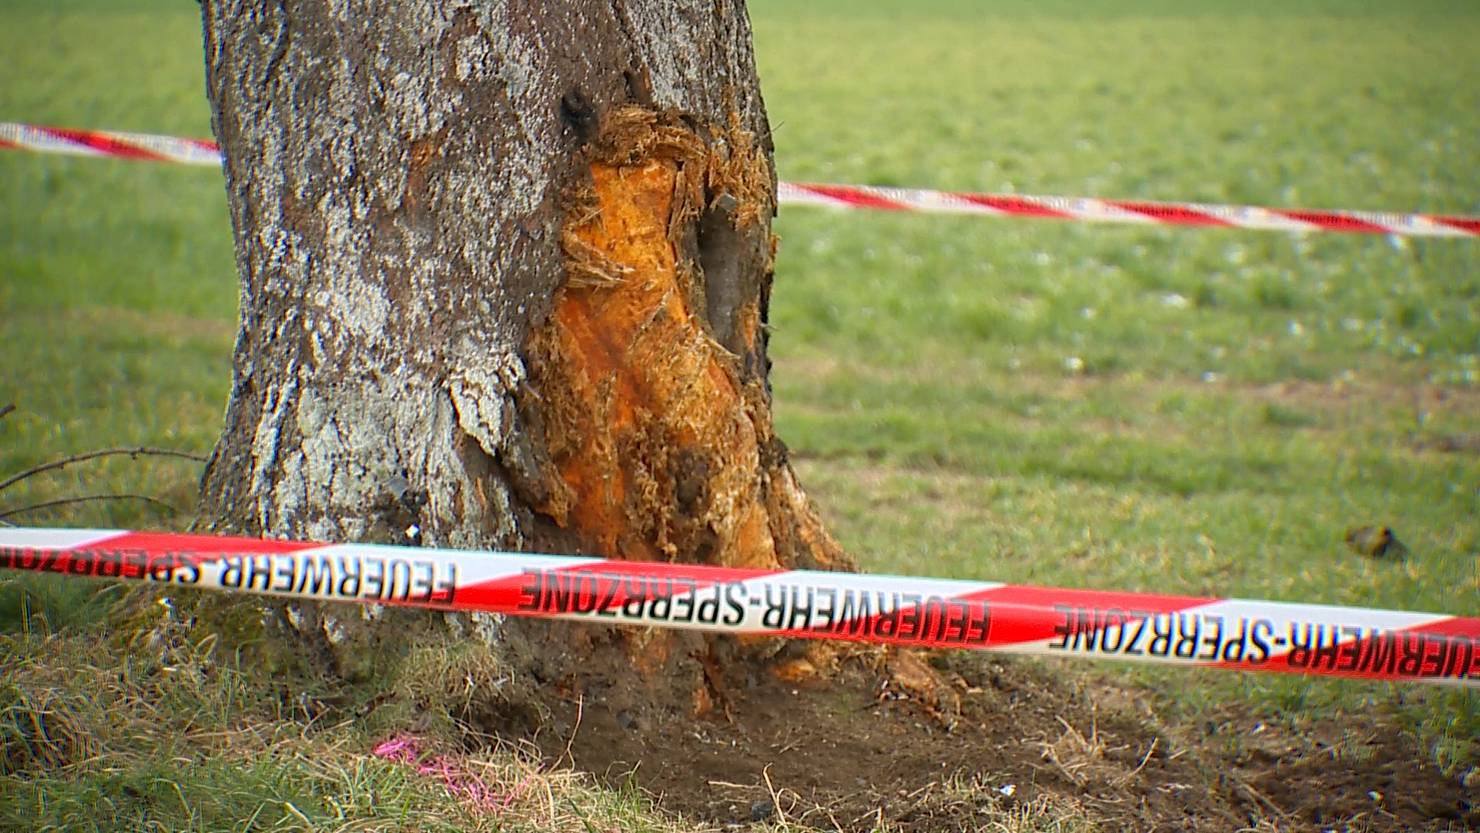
(840, 754)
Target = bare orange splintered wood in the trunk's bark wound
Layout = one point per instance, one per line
(646, 416)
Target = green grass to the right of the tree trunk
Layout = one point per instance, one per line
(1201, 412)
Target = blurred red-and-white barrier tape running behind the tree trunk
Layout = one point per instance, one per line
(1083, 209)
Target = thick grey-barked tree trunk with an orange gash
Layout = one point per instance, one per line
(505, 273)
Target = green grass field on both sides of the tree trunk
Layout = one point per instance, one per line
(1198, 412)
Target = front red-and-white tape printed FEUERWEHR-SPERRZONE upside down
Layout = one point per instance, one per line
(939, 613)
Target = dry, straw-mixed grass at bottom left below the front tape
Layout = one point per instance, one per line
(174, 736)
